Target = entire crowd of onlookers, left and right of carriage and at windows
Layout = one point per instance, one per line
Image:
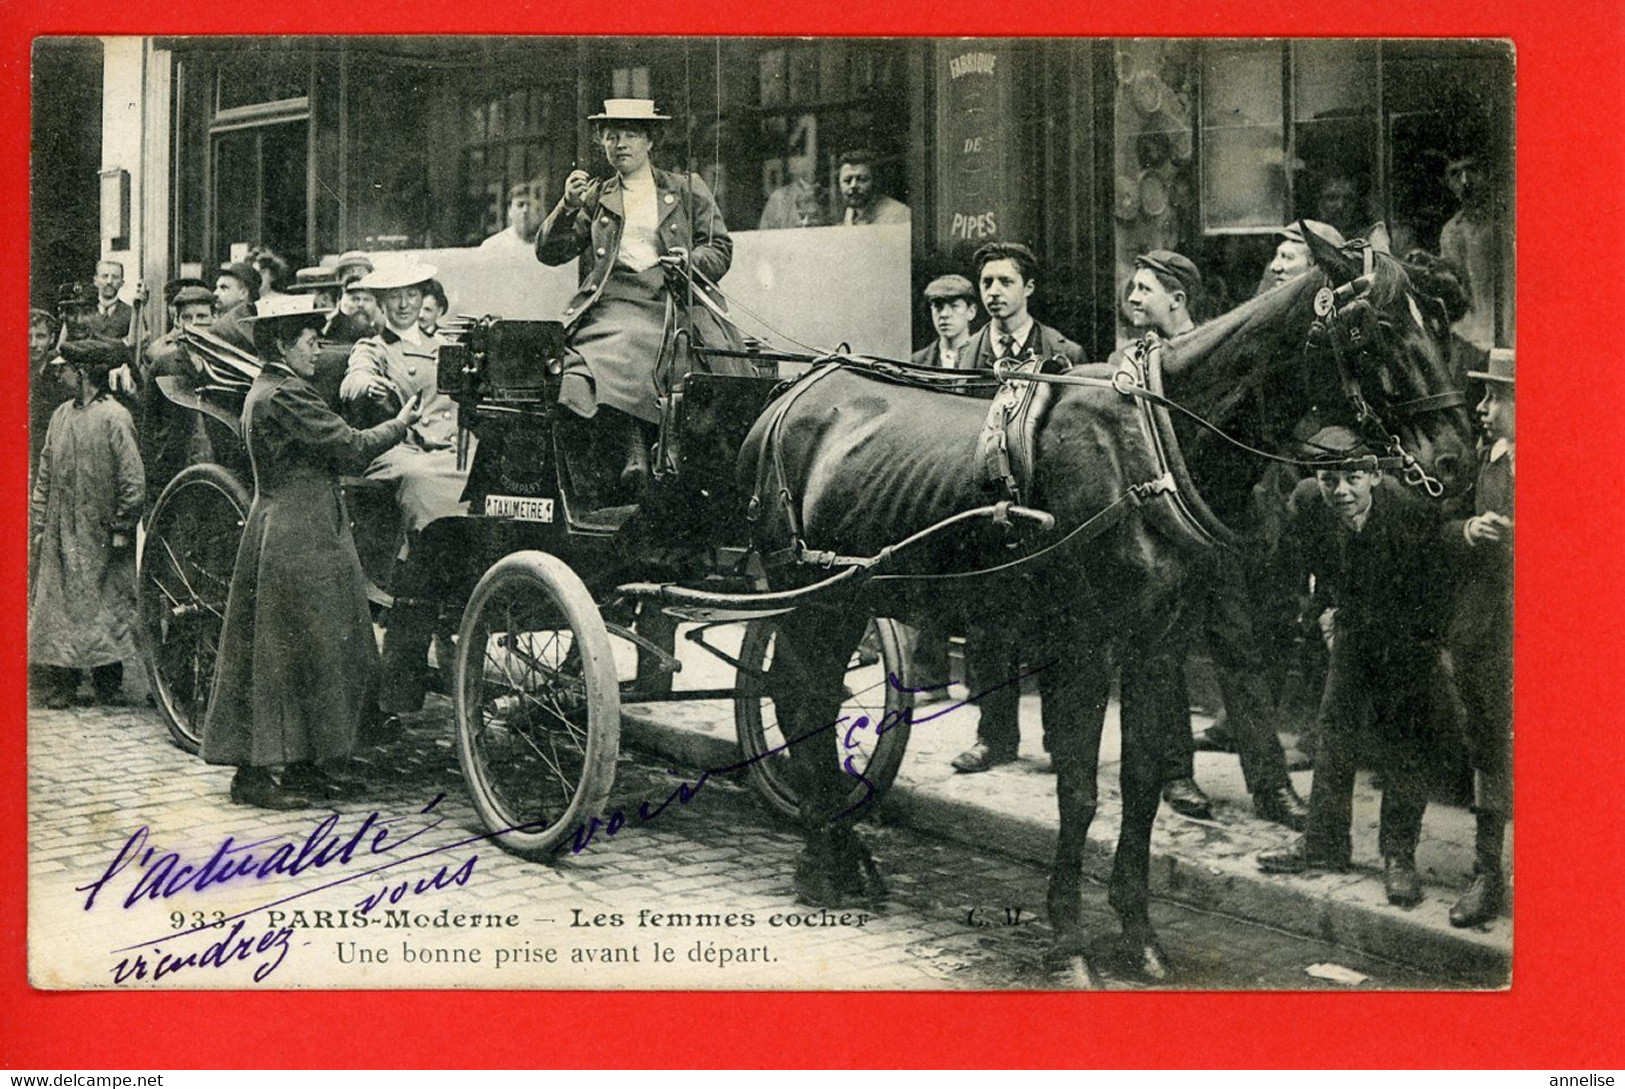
(1398, 649)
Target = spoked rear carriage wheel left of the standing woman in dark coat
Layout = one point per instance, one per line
(183, 584)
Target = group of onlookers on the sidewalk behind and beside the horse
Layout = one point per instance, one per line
(1395, 610)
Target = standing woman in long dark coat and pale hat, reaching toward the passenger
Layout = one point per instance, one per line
(298, 662)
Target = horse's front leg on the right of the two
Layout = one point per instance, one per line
(1150, 718)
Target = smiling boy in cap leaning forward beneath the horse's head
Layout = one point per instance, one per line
(1372, 550)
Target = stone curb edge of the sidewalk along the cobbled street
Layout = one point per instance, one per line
(1341, 909)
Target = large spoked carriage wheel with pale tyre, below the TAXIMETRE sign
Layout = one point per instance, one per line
(539, 706)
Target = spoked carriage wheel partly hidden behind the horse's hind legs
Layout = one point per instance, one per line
(877, 757)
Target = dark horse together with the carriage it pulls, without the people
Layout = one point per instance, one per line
(865, 500)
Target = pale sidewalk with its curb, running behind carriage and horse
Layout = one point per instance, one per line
(1203, 864)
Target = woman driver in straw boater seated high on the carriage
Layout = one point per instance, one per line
(638, 233)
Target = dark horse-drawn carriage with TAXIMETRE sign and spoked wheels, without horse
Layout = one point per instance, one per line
(542, 630)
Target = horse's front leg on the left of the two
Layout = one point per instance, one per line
(1075, 705)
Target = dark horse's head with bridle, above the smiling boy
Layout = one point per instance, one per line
(1387, 339)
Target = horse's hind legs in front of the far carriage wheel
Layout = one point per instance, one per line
(810, 666)
